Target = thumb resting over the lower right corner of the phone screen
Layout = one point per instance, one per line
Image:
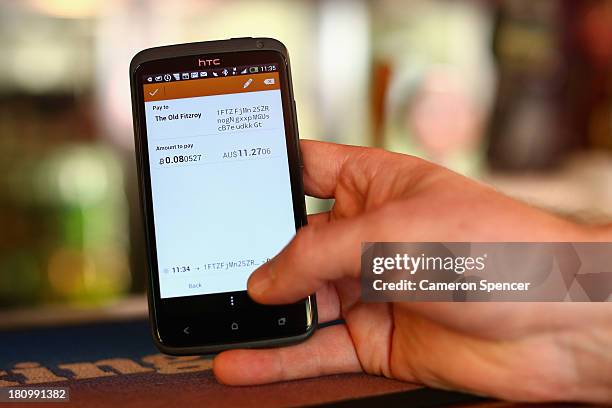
(317, 254)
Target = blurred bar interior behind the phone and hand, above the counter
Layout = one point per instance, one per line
(516, 93)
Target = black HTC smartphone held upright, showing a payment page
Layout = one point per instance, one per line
(221, 191)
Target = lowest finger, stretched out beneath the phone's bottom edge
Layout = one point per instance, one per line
(328, 351)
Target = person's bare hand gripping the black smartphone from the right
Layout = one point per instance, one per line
(519, 351)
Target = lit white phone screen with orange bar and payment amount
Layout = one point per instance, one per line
(220, 183)
